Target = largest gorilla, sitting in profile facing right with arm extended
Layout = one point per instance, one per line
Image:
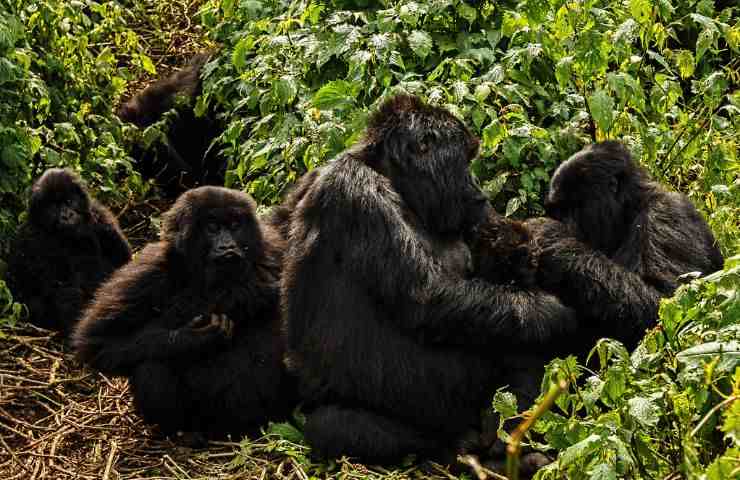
(395, 351)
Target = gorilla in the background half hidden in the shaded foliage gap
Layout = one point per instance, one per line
(184, 158)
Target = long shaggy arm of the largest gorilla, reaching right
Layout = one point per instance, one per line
(386, 255)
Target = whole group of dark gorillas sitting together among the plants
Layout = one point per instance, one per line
(398, 299)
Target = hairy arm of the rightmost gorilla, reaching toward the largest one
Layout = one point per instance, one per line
(592, 283)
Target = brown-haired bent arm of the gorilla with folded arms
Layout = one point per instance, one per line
(124, 326)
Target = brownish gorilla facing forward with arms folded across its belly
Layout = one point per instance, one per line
(193, 320)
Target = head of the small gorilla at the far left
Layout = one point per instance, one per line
(59, 202)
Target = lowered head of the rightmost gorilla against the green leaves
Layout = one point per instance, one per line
(598, 192)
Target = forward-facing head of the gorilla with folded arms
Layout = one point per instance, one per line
(216, 231)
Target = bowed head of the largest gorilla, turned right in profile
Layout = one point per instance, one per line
(426, 152)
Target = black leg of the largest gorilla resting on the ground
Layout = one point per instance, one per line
(333, 431)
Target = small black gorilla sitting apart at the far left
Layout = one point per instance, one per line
(68, 246)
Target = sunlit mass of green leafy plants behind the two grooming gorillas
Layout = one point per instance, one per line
(536, 80)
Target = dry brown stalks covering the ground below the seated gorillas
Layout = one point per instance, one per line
(59, 420)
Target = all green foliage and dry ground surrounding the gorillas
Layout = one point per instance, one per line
(293, 81)
